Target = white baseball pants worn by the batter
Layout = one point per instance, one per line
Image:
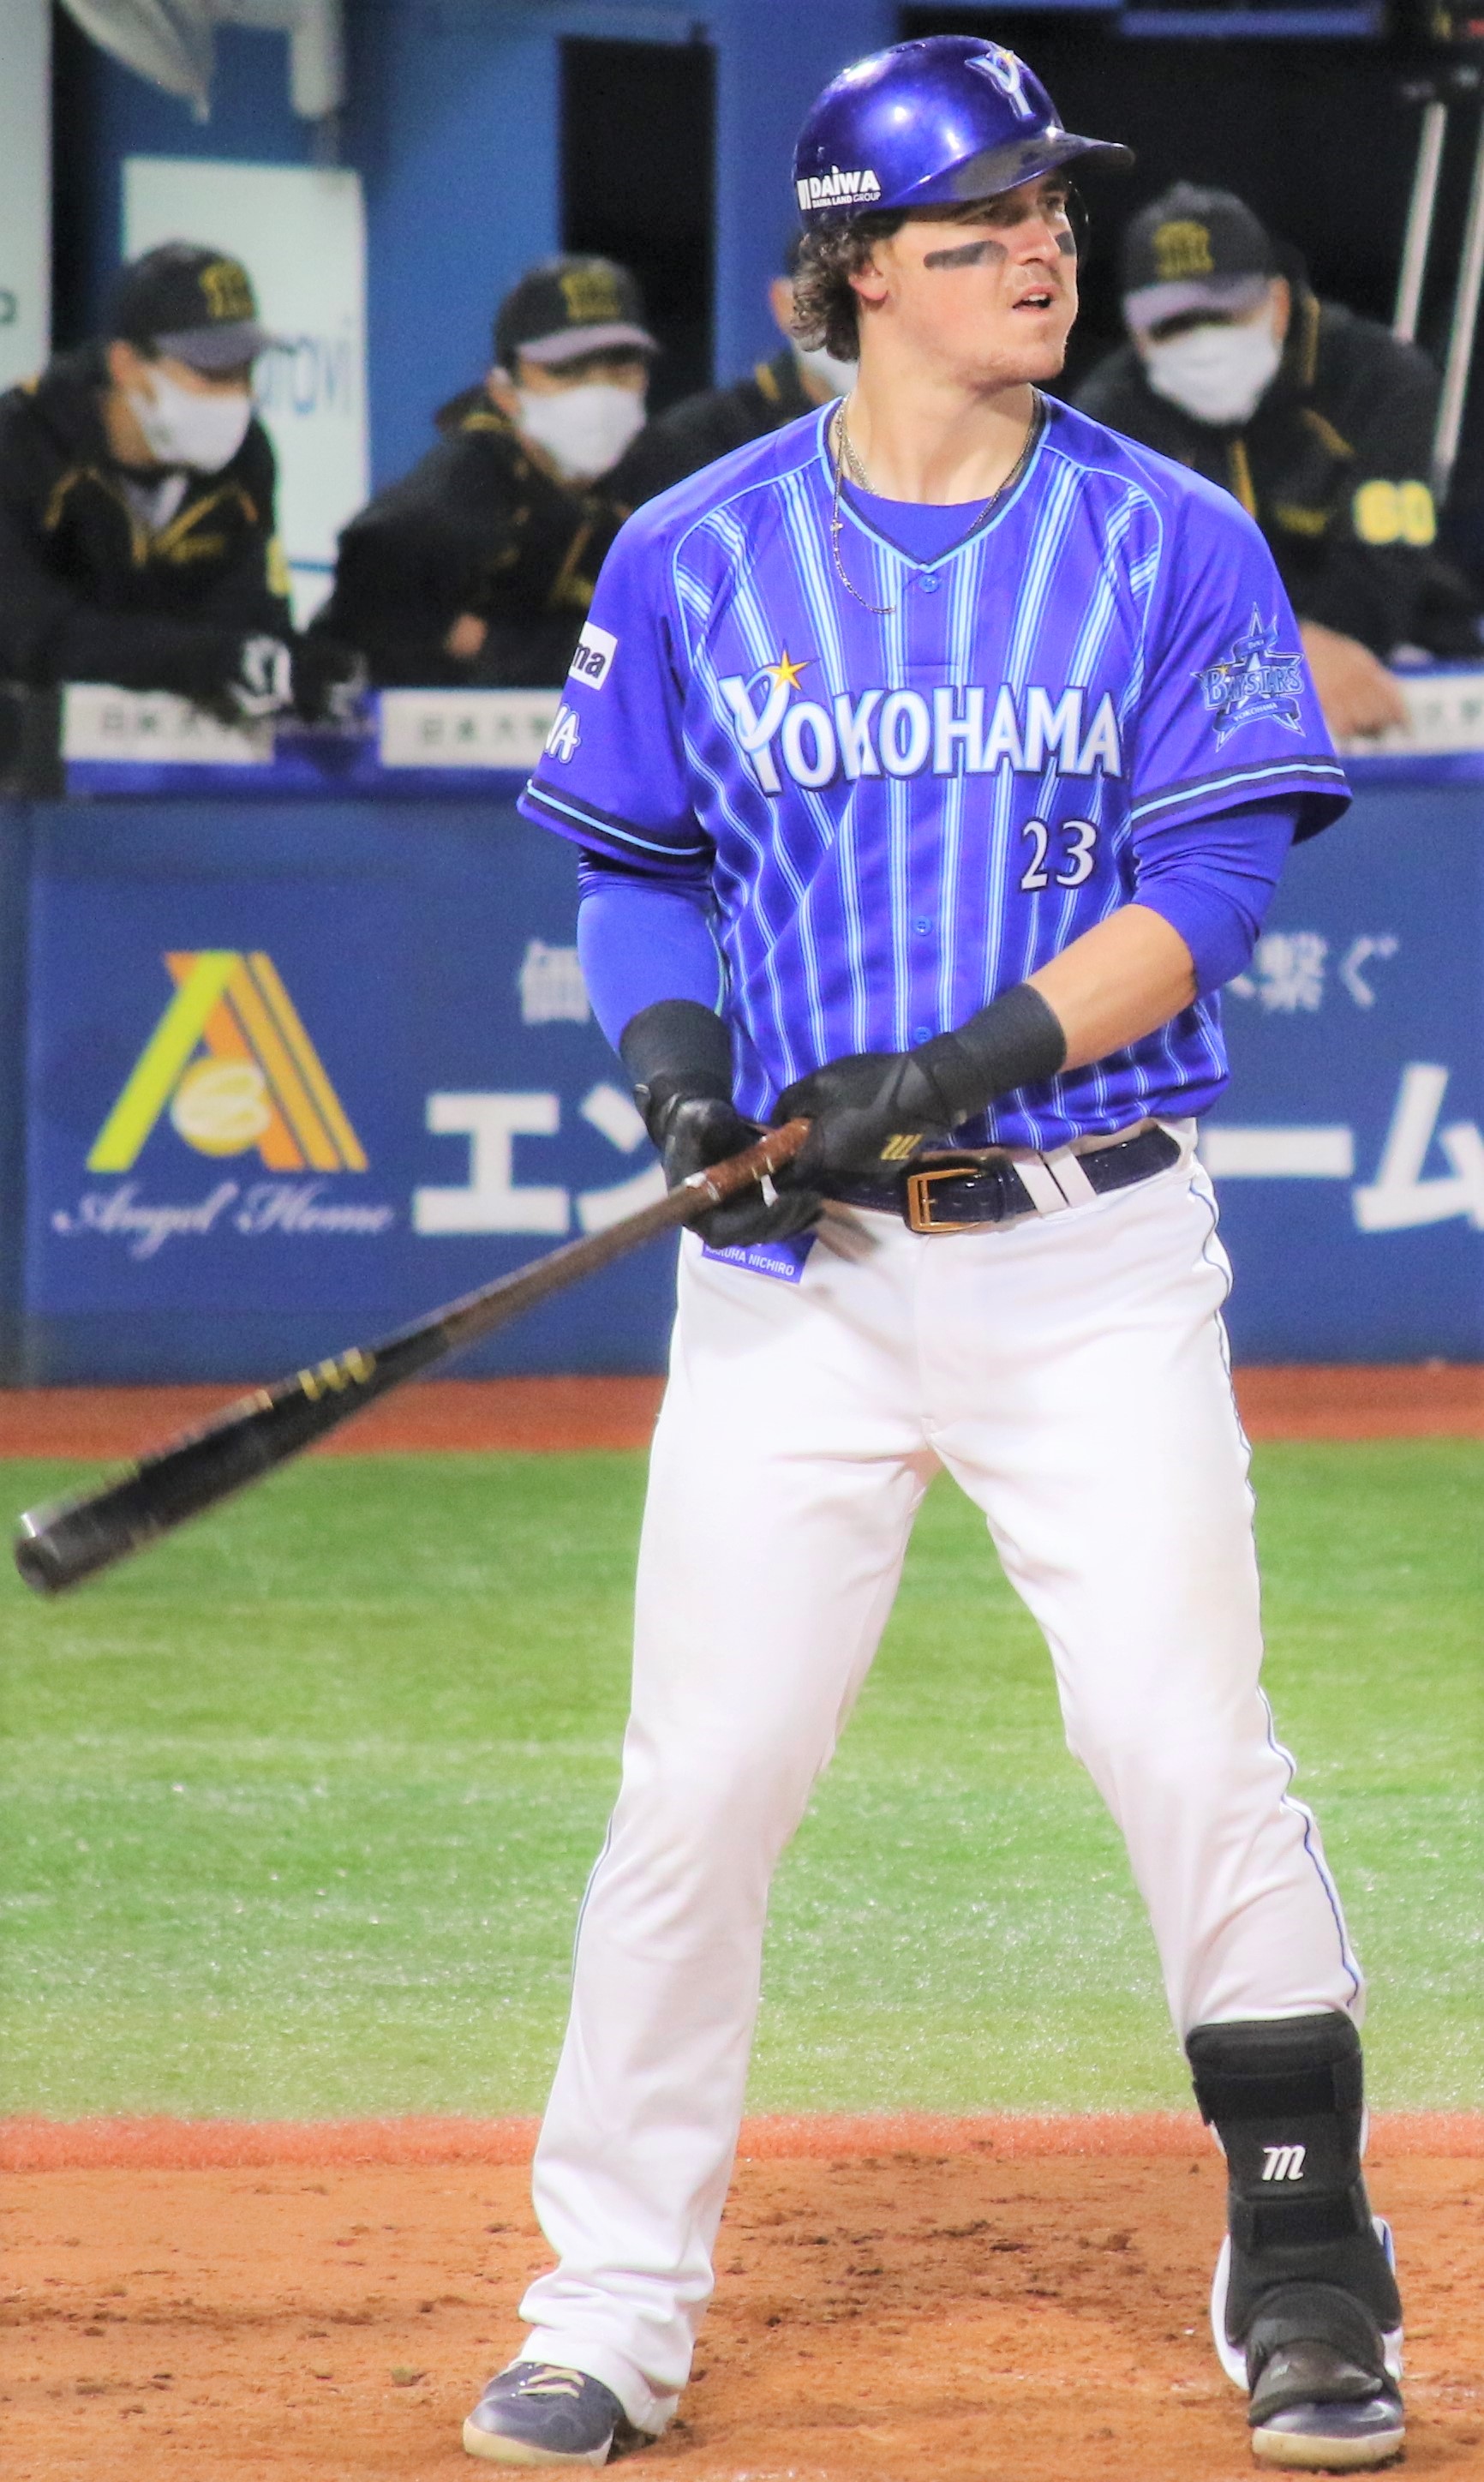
(1071, 1374)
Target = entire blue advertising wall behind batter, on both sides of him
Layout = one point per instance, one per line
(304, 1071)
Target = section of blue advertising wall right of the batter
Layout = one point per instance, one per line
(1349, 1150)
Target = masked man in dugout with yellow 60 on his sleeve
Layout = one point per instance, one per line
(1314, 418)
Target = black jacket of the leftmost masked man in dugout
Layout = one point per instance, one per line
(88, 589)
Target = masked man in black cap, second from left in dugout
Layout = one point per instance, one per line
(478, 567)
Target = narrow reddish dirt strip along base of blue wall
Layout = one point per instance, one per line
(1383, 1401)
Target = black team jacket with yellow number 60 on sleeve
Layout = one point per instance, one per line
(1334, 468)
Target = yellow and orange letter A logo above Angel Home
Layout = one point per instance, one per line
(235, 1069)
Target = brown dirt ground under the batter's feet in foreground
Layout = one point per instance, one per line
(981, 2305)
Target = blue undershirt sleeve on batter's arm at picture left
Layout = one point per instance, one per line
(644, 939)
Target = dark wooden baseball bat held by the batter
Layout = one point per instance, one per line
(76, 1538)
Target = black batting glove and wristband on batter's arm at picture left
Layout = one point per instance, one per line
(681, 1061)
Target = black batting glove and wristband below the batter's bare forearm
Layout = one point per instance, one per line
(875, 1111)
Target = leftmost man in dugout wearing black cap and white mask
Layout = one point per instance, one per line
(138, 508)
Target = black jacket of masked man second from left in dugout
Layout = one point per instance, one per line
(475, 527)
